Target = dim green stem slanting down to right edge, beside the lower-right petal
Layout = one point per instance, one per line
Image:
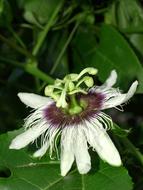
(133, 149)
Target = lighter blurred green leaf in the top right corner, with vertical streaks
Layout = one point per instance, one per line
(125, 14)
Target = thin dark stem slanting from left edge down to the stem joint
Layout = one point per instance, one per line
(17, 48)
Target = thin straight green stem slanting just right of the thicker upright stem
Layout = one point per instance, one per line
(64, 49)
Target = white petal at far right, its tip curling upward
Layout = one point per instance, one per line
(118, 99)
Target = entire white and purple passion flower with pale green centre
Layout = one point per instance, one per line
(73, 114)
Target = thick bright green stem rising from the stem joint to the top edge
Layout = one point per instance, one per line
(43, 34)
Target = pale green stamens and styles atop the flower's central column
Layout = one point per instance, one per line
(69, 87)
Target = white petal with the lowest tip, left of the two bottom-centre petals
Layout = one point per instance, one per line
(67, 155)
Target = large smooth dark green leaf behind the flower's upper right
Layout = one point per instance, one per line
(111, 52)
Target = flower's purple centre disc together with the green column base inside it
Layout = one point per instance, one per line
(80, 107)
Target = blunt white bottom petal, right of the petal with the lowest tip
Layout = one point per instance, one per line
(81, 152)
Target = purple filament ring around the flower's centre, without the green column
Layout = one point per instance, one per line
(58, 117)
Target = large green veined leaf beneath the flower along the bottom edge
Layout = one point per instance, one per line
(33, 174)
